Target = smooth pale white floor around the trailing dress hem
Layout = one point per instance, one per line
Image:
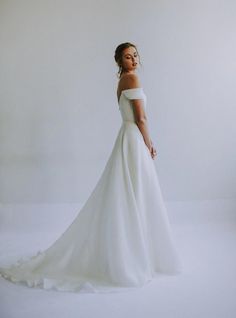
(206, 288)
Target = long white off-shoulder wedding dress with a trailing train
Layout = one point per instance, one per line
(121, 238)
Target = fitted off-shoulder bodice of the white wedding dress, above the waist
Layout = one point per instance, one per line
(125, 106)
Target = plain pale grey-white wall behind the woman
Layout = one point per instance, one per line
(59, 117)
